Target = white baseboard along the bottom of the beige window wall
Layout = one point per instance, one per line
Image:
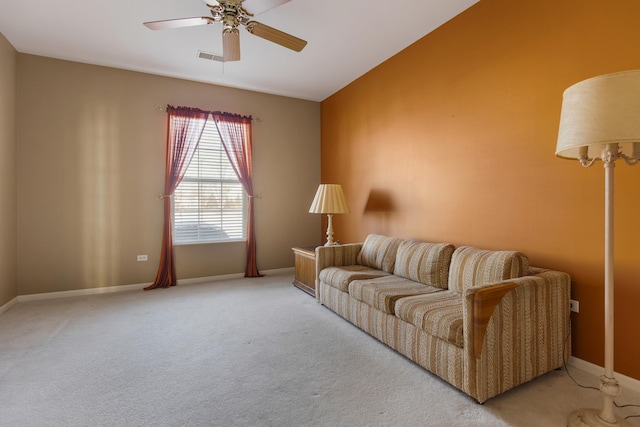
(122, 288)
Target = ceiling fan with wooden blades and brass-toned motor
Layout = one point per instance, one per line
(232, 14)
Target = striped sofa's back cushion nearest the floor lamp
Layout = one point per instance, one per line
(473, 267)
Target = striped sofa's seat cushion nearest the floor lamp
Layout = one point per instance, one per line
(439, 314)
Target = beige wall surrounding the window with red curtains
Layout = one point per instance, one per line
(91, 148)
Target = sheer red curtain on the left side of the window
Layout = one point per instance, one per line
(184, 129)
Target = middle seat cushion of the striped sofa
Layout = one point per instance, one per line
(383, 292)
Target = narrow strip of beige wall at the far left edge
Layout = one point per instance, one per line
(8, 236)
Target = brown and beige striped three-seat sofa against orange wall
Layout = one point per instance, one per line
(484, 321)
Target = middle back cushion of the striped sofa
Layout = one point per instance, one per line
(426, 263)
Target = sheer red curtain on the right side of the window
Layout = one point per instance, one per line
(235, 133)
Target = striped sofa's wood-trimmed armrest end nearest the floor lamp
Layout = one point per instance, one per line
(515, 330)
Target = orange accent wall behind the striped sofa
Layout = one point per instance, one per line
(453, 139)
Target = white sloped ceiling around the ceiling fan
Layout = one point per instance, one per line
(346, 38)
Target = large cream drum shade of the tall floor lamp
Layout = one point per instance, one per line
(601, 110)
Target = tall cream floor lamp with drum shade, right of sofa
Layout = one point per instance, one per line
(600, 119)
